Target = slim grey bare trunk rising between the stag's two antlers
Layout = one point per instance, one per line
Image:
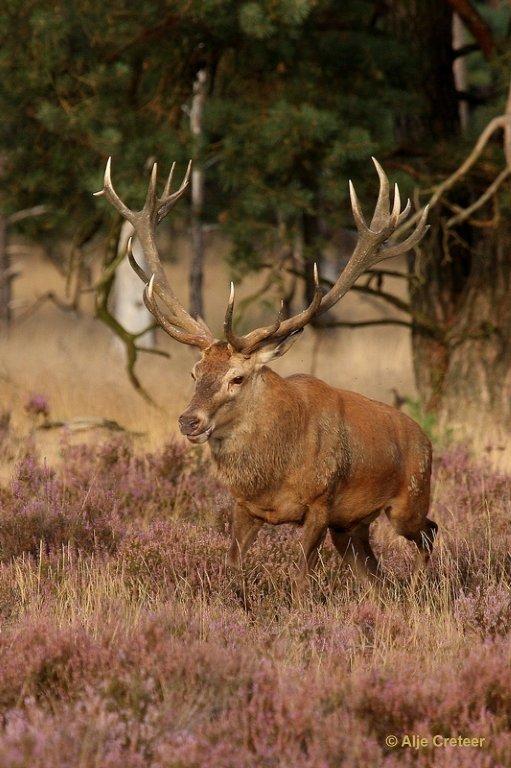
(197, 265)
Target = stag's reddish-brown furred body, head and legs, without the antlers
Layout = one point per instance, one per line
(296, 450)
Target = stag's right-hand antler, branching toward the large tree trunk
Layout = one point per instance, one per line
(369, 251)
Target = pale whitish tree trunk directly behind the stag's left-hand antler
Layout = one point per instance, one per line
(128, 307)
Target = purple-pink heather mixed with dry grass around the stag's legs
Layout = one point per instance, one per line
(126, 641)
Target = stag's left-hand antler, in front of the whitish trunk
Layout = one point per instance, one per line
(178, 323)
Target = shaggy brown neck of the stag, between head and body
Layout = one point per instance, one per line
(255, 450)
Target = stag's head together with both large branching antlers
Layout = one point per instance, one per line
(228, 372)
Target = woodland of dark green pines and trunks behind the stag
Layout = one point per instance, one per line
(278, 104)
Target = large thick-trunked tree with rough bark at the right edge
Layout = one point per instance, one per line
(461, 322)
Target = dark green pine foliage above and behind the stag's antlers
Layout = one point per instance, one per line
(302, 93)
